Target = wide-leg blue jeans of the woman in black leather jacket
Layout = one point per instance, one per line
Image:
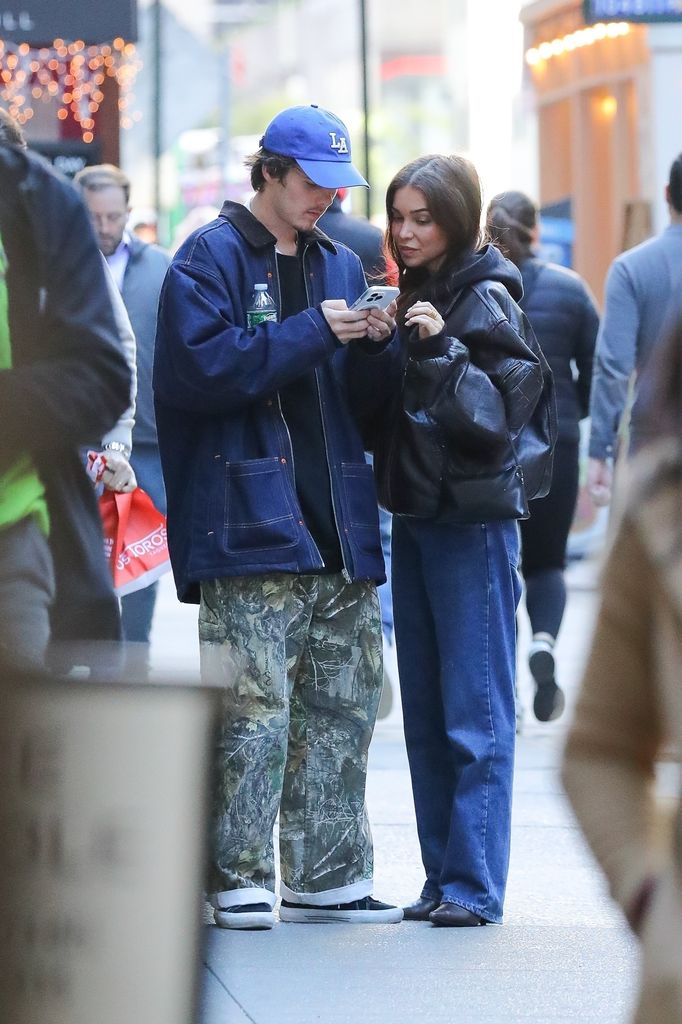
(456, 590)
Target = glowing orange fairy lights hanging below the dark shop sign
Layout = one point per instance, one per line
(71, 74)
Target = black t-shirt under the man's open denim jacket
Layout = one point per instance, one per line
(301, 406)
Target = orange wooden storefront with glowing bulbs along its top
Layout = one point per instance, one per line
(609, 97)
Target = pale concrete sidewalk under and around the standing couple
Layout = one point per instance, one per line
(562, 956)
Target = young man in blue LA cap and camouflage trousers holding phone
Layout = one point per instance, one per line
(274, 530)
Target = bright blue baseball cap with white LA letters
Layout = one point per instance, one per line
(319, 142)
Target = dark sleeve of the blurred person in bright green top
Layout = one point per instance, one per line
(80, 383)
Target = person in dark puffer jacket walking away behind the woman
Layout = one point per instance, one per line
(566, 321)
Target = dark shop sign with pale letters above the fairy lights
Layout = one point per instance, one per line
(40, 22)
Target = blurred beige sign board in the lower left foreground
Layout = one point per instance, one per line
(103, 824)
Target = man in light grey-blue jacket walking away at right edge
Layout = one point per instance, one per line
(643, 301)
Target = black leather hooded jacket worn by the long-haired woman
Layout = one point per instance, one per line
(471, 437)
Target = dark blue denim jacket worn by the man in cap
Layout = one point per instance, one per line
(233, 508)
